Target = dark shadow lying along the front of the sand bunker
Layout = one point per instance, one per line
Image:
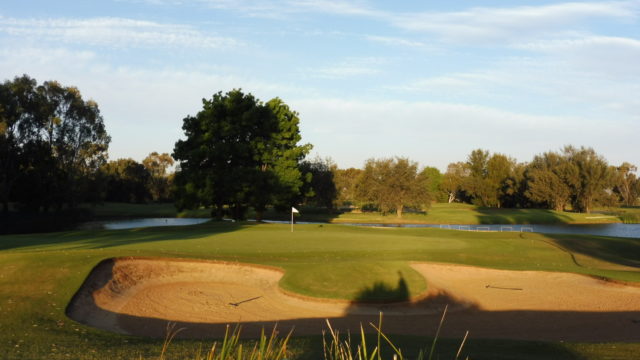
(417, 317)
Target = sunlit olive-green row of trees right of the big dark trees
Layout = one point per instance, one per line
(573, 178)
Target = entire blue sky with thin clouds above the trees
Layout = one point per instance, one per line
(423, 79)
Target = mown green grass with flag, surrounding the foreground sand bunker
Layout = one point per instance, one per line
(39, 273)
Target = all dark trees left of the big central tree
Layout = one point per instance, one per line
(53, 153)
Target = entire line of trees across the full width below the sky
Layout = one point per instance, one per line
(240, 153)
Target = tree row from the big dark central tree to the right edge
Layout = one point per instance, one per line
(241, 153)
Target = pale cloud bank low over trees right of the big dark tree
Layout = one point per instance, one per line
(439, 133)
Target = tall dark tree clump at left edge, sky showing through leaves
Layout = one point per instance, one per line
(51, 139)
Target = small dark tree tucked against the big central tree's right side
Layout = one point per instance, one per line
(322, 187)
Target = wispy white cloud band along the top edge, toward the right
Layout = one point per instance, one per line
(477, 24)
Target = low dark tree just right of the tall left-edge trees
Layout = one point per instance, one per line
(126, 181)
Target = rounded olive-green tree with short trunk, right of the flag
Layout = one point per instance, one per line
(392, 185)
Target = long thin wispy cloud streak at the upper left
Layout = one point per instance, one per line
(116, 32)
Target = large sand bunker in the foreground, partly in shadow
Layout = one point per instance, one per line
(138, 296)
